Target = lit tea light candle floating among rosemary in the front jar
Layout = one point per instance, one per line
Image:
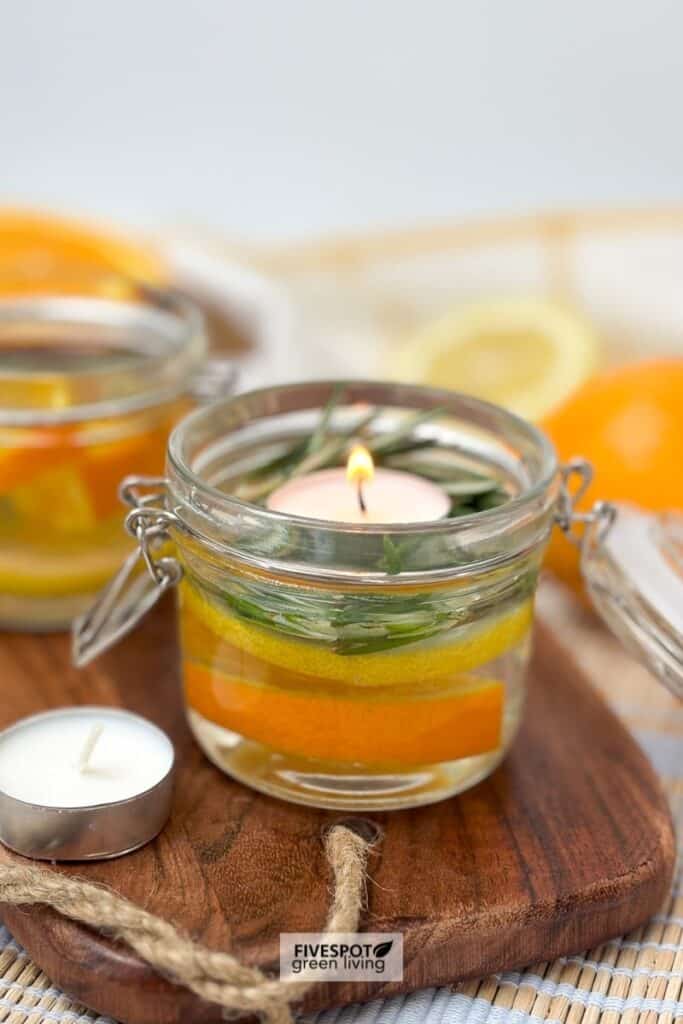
(362, 493)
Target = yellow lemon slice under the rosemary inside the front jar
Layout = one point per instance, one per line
(467, 648)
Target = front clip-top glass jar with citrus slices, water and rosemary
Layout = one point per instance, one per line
(358, 666)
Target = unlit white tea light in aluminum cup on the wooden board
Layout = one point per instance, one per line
(83, 784)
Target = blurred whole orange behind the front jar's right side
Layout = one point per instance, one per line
(628, 422)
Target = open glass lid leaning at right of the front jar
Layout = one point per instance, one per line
(634, 573)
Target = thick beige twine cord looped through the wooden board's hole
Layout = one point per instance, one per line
(217, 977)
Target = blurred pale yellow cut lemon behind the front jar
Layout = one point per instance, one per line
(527, 355)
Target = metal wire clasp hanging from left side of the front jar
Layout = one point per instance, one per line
(143, 579)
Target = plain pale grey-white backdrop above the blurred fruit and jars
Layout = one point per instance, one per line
(279, 118)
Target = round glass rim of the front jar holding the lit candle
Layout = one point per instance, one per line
(208, 495)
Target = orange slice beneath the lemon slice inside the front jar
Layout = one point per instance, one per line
(387, 730)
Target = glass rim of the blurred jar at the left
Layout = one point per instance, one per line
(162, 332)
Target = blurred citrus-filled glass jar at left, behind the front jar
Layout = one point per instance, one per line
(90, 388)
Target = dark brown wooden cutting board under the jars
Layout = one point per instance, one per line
(569, 844)
